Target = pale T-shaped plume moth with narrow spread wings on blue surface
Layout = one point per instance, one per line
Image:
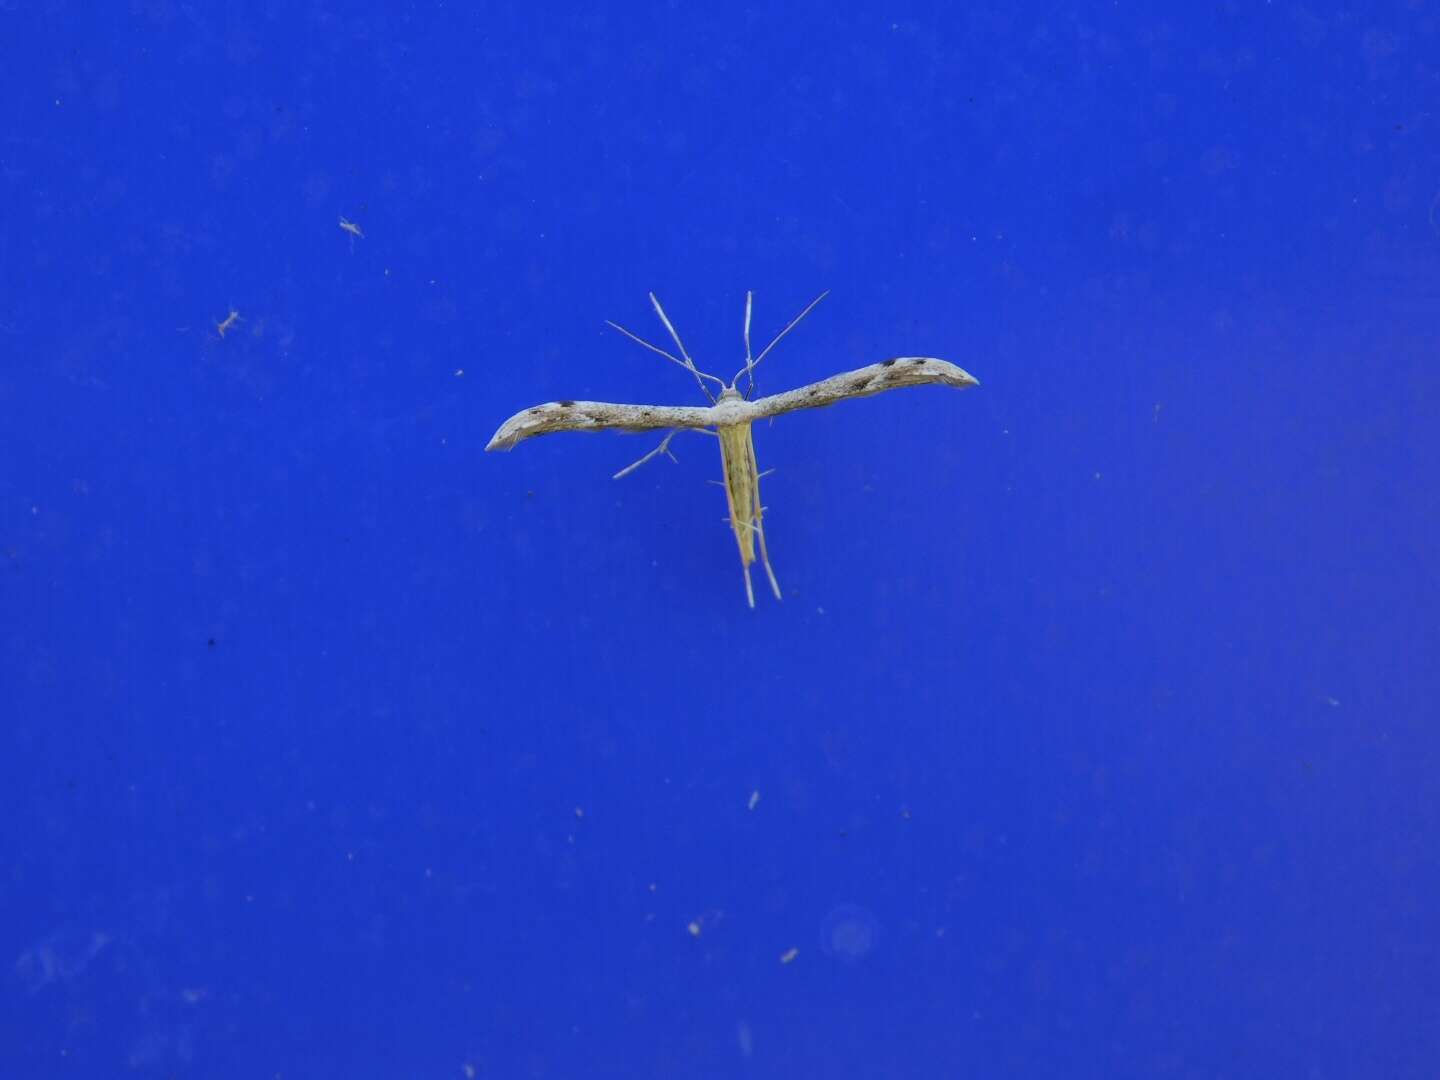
(729, 418)
